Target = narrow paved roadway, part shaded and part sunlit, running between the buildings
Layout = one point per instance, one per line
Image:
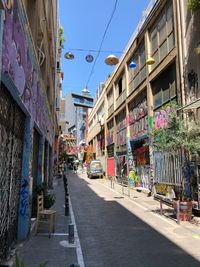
(116, 231)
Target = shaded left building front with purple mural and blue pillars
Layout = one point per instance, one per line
(27, 112)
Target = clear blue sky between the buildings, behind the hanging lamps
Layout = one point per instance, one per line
(84, 23)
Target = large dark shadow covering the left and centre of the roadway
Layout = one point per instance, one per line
(110, 235)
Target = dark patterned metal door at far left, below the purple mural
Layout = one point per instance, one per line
(12, 123)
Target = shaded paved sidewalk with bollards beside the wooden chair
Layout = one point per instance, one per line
(56, 251)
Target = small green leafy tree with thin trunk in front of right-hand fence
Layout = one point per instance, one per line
(179, 136)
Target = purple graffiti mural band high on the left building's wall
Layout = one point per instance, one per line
(19, 64)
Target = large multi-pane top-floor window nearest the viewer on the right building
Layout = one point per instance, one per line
(162, 35)
